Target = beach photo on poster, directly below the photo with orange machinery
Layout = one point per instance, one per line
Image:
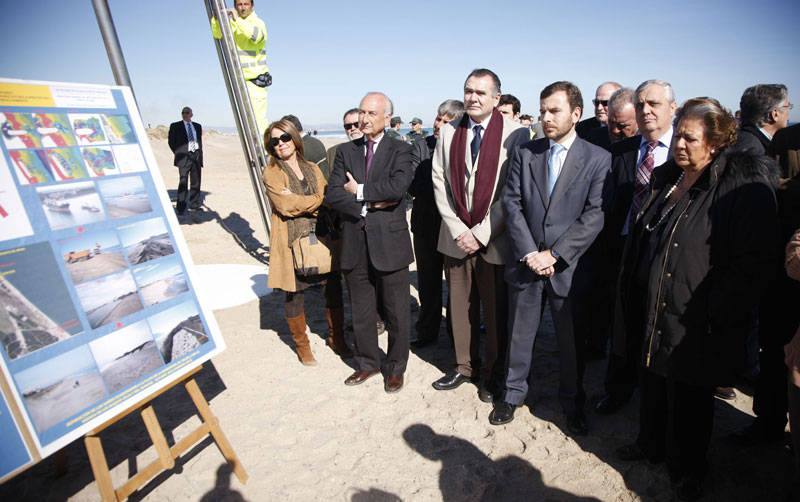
(109, 298)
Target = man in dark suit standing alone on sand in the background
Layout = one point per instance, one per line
(186, 142)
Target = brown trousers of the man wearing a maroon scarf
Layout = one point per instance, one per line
(473, 282)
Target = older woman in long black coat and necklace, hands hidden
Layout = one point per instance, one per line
(692, 273)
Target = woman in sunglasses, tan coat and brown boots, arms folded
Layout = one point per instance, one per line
(296, 188)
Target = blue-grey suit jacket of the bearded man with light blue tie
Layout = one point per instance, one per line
(567, 222)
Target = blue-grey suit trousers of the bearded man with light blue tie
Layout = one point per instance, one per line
(525, 311)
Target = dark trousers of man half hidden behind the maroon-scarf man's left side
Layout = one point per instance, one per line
(429, 283)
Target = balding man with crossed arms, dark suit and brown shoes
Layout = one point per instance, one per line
(368, 187)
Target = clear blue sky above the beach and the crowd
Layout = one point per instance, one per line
(325, 55)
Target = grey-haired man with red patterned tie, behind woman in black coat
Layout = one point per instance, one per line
(632, 161)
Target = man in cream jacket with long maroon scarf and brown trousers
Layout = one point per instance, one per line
(469, 171)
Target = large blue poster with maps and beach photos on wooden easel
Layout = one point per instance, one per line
(98, 308)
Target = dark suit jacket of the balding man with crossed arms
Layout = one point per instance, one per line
(388, 240)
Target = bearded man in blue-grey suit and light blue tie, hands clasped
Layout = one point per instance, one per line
(553, 205)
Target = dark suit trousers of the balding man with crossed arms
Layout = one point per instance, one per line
(363, 282)
